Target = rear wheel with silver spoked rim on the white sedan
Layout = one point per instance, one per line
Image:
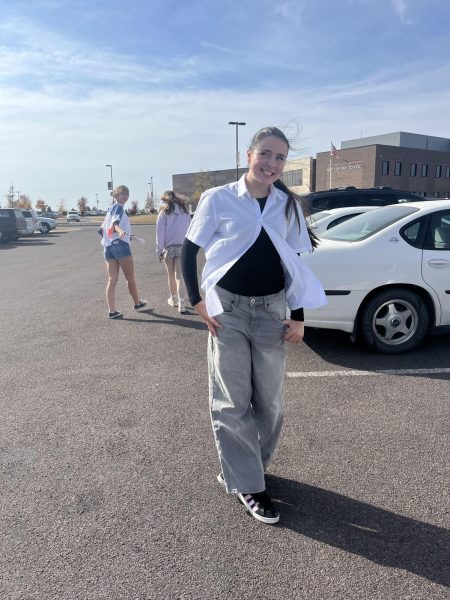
(394, 321)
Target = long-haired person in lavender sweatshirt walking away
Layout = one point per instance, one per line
(171, 228)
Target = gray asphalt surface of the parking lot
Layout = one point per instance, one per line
(108, 465)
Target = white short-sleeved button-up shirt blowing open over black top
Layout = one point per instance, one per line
(227, 223)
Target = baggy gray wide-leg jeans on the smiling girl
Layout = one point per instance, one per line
(246, 364)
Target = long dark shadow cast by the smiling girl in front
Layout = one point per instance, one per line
(376, 534)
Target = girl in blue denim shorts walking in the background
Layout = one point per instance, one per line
(116, 236)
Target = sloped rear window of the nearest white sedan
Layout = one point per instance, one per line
(367, 224)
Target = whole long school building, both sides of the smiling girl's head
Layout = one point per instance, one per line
(403, 161)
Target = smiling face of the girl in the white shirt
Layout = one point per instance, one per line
(265, 164)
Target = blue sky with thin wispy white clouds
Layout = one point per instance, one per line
(149, 86)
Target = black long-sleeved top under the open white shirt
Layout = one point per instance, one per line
(258, 272)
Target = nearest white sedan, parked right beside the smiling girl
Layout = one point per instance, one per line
(386, 274)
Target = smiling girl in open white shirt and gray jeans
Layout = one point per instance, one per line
(252, 231)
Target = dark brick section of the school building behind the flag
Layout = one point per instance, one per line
(404, 161)
